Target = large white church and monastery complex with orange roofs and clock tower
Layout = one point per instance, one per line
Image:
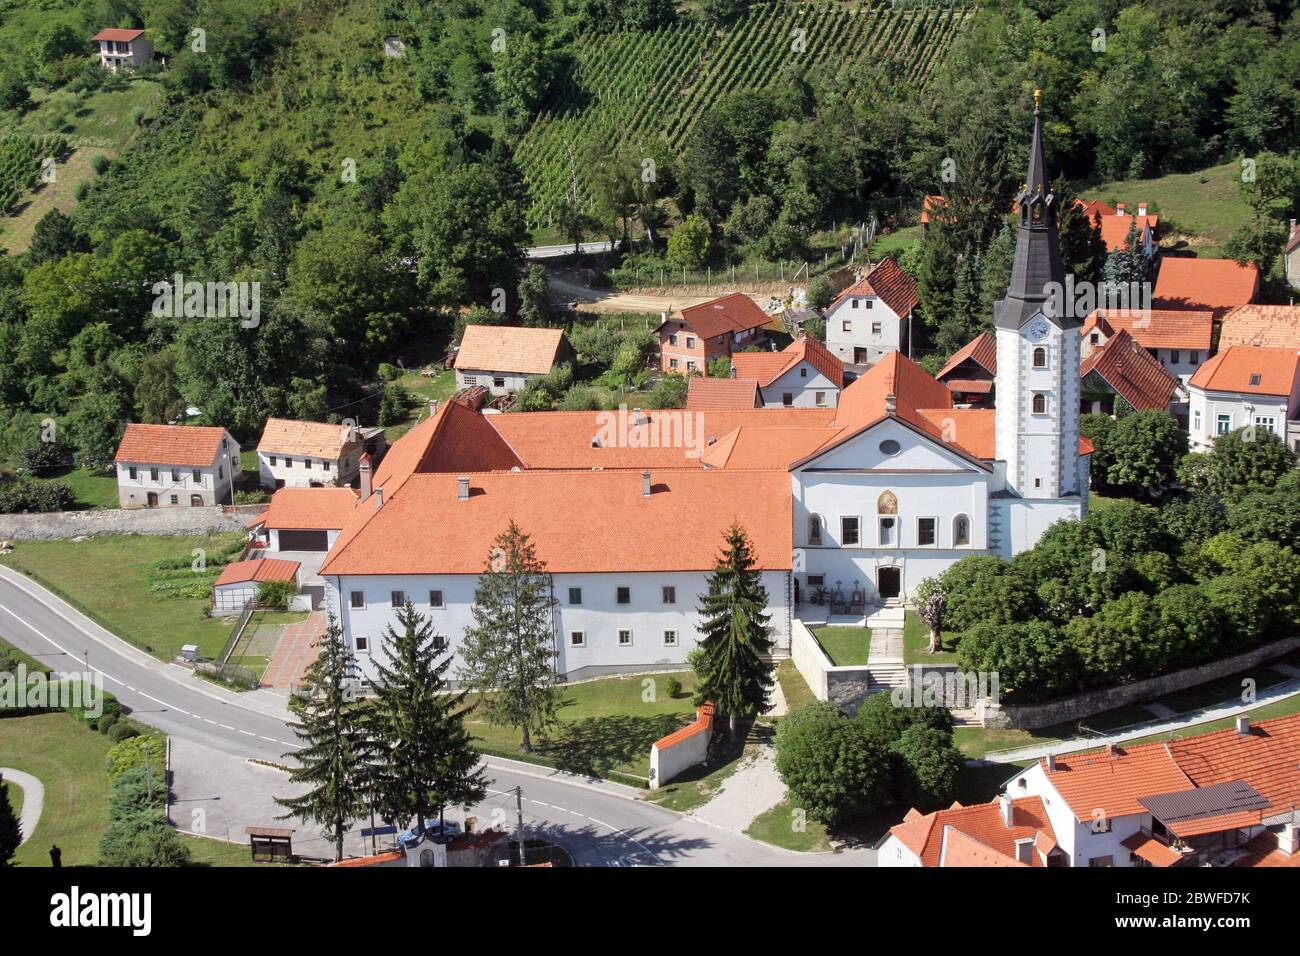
(848, 507)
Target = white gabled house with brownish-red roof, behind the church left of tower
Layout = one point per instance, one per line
(873, 317)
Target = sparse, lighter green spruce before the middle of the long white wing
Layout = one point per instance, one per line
(510, 651)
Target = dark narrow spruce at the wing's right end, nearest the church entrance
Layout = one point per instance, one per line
(731, 668)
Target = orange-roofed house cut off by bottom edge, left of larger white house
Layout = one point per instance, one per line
(1003, 833)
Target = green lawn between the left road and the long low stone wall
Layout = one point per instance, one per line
(109, 579)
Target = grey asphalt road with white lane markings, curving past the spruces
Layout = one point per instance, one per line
(600, 823)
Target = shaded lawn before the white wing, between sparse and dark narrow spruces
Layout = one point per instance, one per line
(606, 728)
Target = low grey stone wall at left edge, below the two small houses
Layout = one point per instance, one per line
(163, 521)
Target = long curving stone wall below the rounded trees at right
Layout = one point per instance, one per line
(1077, 707)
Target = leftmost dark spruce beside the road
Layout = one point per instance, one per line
(333, 760)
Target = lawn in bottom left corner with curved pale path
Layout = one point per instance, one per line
(68, 759)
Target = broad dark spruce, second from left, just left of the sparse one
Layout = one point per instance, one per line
(427, 759)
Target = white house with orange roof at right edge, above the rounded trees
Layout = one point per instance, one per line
(1246, 386)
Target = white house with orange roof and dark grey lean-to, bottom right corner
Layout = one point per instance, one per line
(1221, 799)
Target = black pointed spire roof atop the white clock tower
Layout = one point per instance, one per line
(1038, 254)
